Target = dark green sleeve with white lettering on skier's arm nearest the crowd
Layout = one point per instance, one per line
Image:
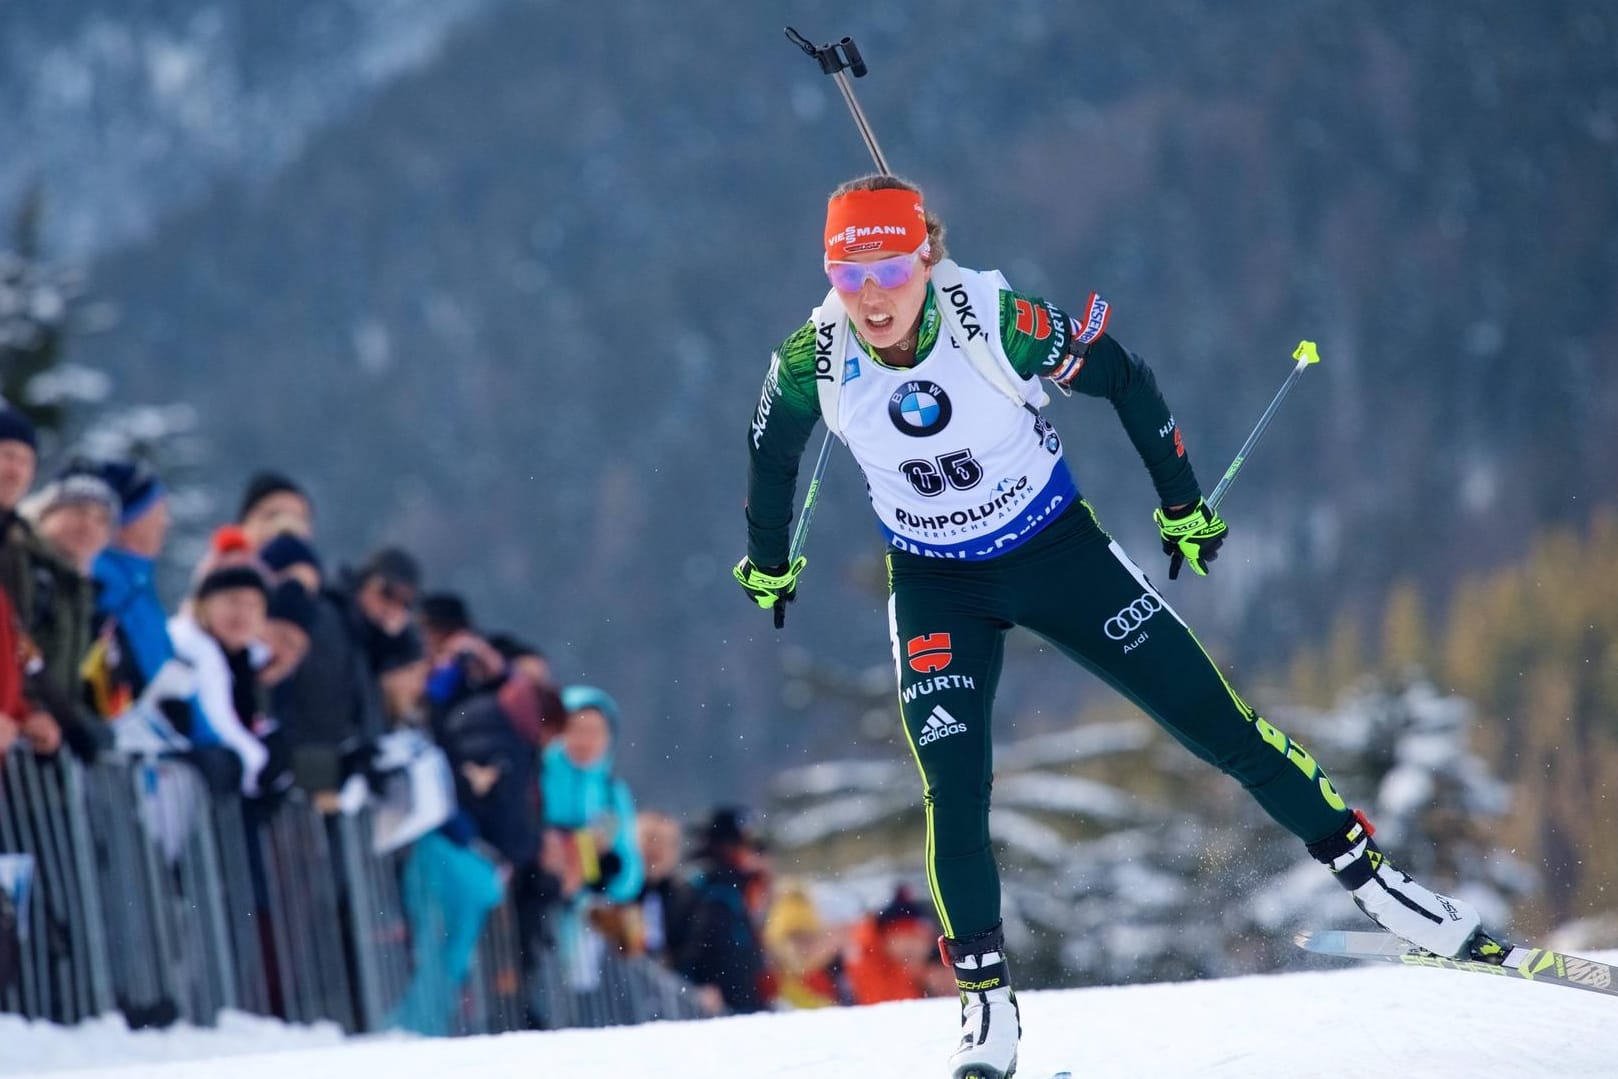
(789, 410)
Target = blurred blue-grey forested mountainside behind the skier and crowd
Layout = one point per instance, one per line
(499, 279)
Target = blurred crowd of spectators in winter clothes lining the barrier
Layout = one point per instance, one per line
(286, 672)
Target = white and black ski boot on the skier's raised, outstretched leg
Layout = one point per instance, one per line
(1389, 895)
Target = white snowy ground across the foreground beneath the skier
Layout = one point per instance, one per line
(1342, 1023)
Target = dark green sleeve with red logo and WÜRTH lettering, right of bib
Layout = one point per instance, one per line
(1041, 341)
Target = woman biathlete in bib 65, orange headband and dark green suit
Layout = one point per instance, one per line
(931, 374)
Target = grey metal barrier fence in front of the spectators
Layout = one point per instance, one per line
(166, 902)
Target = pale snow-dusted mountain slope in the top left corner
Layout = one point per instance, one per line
(129, 112)
